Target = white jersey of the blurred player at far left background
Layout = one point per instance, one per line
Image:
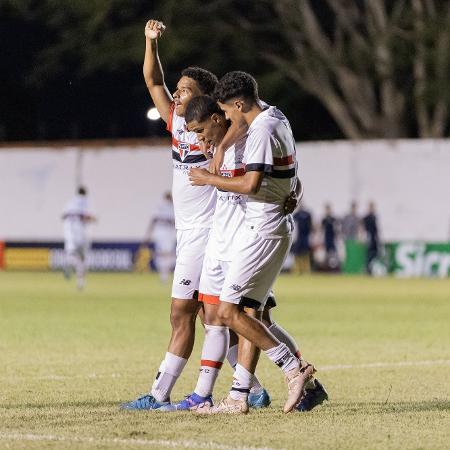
(75, 216)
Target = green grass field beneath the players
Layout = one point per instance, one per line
(67, 359)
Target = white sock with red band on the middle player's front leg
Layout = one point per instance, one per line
(215, 348)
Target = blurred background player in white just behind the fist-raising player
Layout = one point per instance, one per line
(161, 232)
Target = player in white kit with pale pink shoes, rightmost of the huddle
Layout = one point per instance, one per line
(263, 242)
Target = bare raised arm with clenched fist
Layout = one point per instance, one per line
(153, 73)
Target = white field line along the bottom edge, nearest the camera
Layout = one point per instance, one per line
(118, 441)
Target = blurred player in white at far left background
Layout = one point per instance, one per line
(76, 216)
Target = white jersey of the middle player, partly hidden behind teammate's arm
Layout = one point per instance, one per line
(230, 207)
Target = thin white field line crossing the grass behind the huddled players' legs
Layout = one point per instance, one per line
(375, 365)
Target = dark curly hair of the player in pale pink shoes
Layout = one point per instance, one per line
(236, 84)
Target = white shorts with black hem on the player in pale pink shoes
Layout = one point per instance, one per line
(257, 263)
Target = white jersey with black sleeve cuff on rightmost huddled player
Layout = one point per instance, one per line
(270, 148)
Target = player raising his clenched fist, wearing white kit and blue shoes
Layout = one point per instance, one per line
(193, 206)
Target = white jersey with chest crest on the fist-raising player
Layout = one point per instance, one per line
(193, 205)
